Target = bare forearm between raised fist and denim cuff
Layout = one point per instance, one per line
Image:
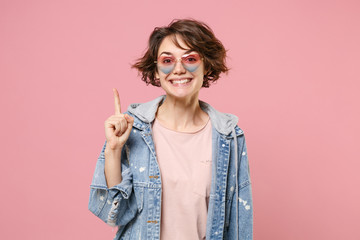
(112, 166)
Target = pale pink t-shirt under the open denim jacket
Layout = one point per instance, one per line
(185, 165)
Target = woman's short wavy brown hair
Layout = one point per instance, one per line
(198, 36)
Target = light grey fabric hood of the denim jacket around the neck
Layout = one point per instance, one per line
(224, 123)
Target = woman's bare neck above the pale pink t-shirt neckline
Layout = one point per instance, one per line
(183, 115)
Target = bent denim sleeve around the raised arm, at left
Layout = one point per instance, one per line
(115, 205)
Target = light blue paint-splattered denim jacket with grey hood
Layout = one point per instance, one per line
(134, 205)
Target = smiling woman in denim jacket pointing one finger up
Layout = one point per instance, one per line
(174, 167)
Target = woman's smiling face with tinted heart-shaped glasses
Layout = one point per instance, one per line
(185, 78)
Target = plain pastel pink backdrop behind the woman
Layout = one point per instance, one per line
(294, 84)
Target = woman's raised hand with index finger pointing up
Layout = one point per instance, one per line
(118, 126)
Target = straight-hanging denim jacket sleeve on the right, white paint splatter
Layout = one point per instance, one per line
(244, 223)
